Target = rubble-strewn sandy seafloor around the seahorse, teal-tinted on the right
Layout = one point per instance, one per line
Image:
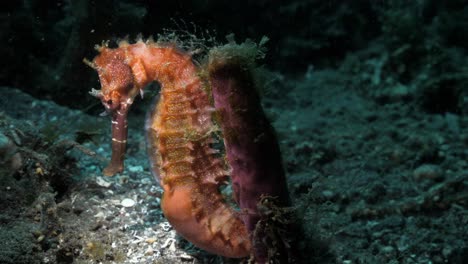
(374, 180)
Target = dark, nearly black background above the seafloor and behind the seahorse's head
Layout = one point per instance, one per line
(44, 42)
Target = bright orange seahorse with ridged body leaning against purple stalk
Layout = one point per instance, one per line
(179, 133)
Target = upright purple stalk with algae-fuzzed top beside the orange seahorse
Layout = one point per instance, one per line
(251, 146)
